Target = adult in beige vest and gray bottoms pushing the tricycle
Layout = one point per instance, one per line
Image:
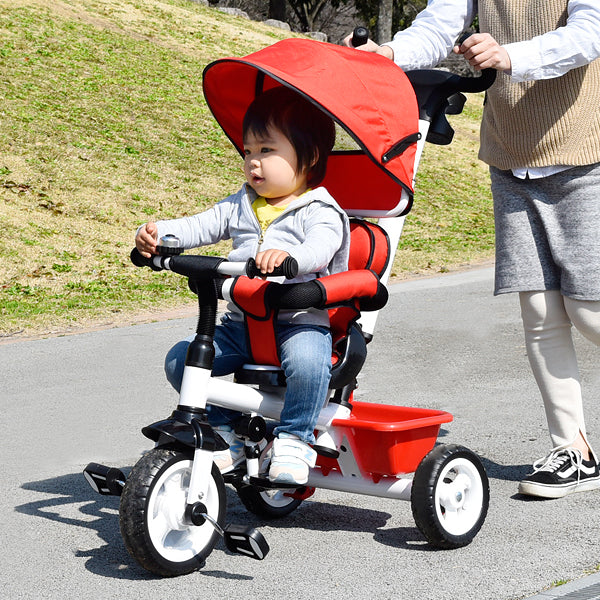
(540, 134)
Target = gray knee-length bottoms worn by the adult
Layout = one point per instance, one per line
(548, 232)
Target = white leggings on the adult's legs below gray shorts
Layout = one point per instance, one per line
(547, 319)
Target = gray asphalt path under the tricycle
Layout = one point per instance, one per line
(442, 343)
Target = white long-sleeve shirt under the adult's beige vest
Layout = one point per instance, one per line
(434, 32)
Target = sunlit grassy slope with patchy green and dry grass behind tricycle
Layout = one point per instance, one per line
(103, 126)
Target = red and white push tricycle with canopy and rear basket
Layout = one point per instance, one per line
(173, 502)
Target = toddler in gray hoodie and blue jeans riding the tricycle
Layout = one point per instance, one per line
(279, 212)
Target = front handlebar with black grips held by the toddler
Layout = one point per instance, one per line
(203, 267)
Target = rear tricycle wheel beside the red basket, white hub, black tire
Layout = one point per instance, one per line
(450, 496)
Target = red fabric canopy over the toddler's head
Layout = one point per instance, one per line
(367, 94)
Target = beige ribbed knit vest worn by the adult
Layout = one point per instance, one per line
(538, 123)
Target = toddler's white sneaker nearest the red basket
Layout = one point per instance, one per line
(291, 460)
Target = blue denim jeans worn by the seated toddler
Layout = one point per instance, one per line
(305, 352)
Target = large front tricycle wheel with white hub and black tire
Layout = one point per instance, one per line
(159, 546)
